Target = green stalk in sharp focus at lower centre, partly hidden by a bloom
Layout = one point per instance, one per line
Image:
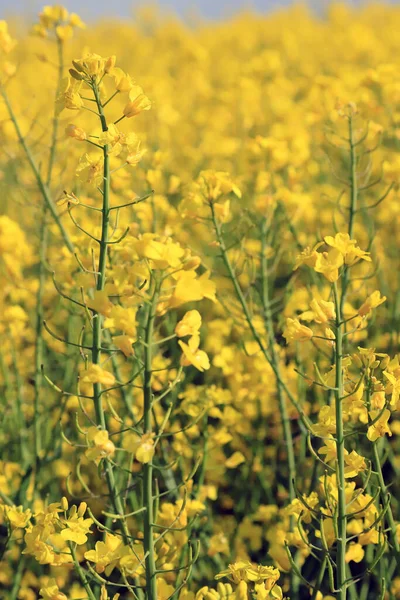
(148, 499)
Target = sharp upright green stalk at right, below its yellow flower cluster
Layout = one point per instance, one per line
(340, 452)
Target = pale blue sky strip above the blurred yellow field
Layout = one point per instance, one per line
(90, 9)
